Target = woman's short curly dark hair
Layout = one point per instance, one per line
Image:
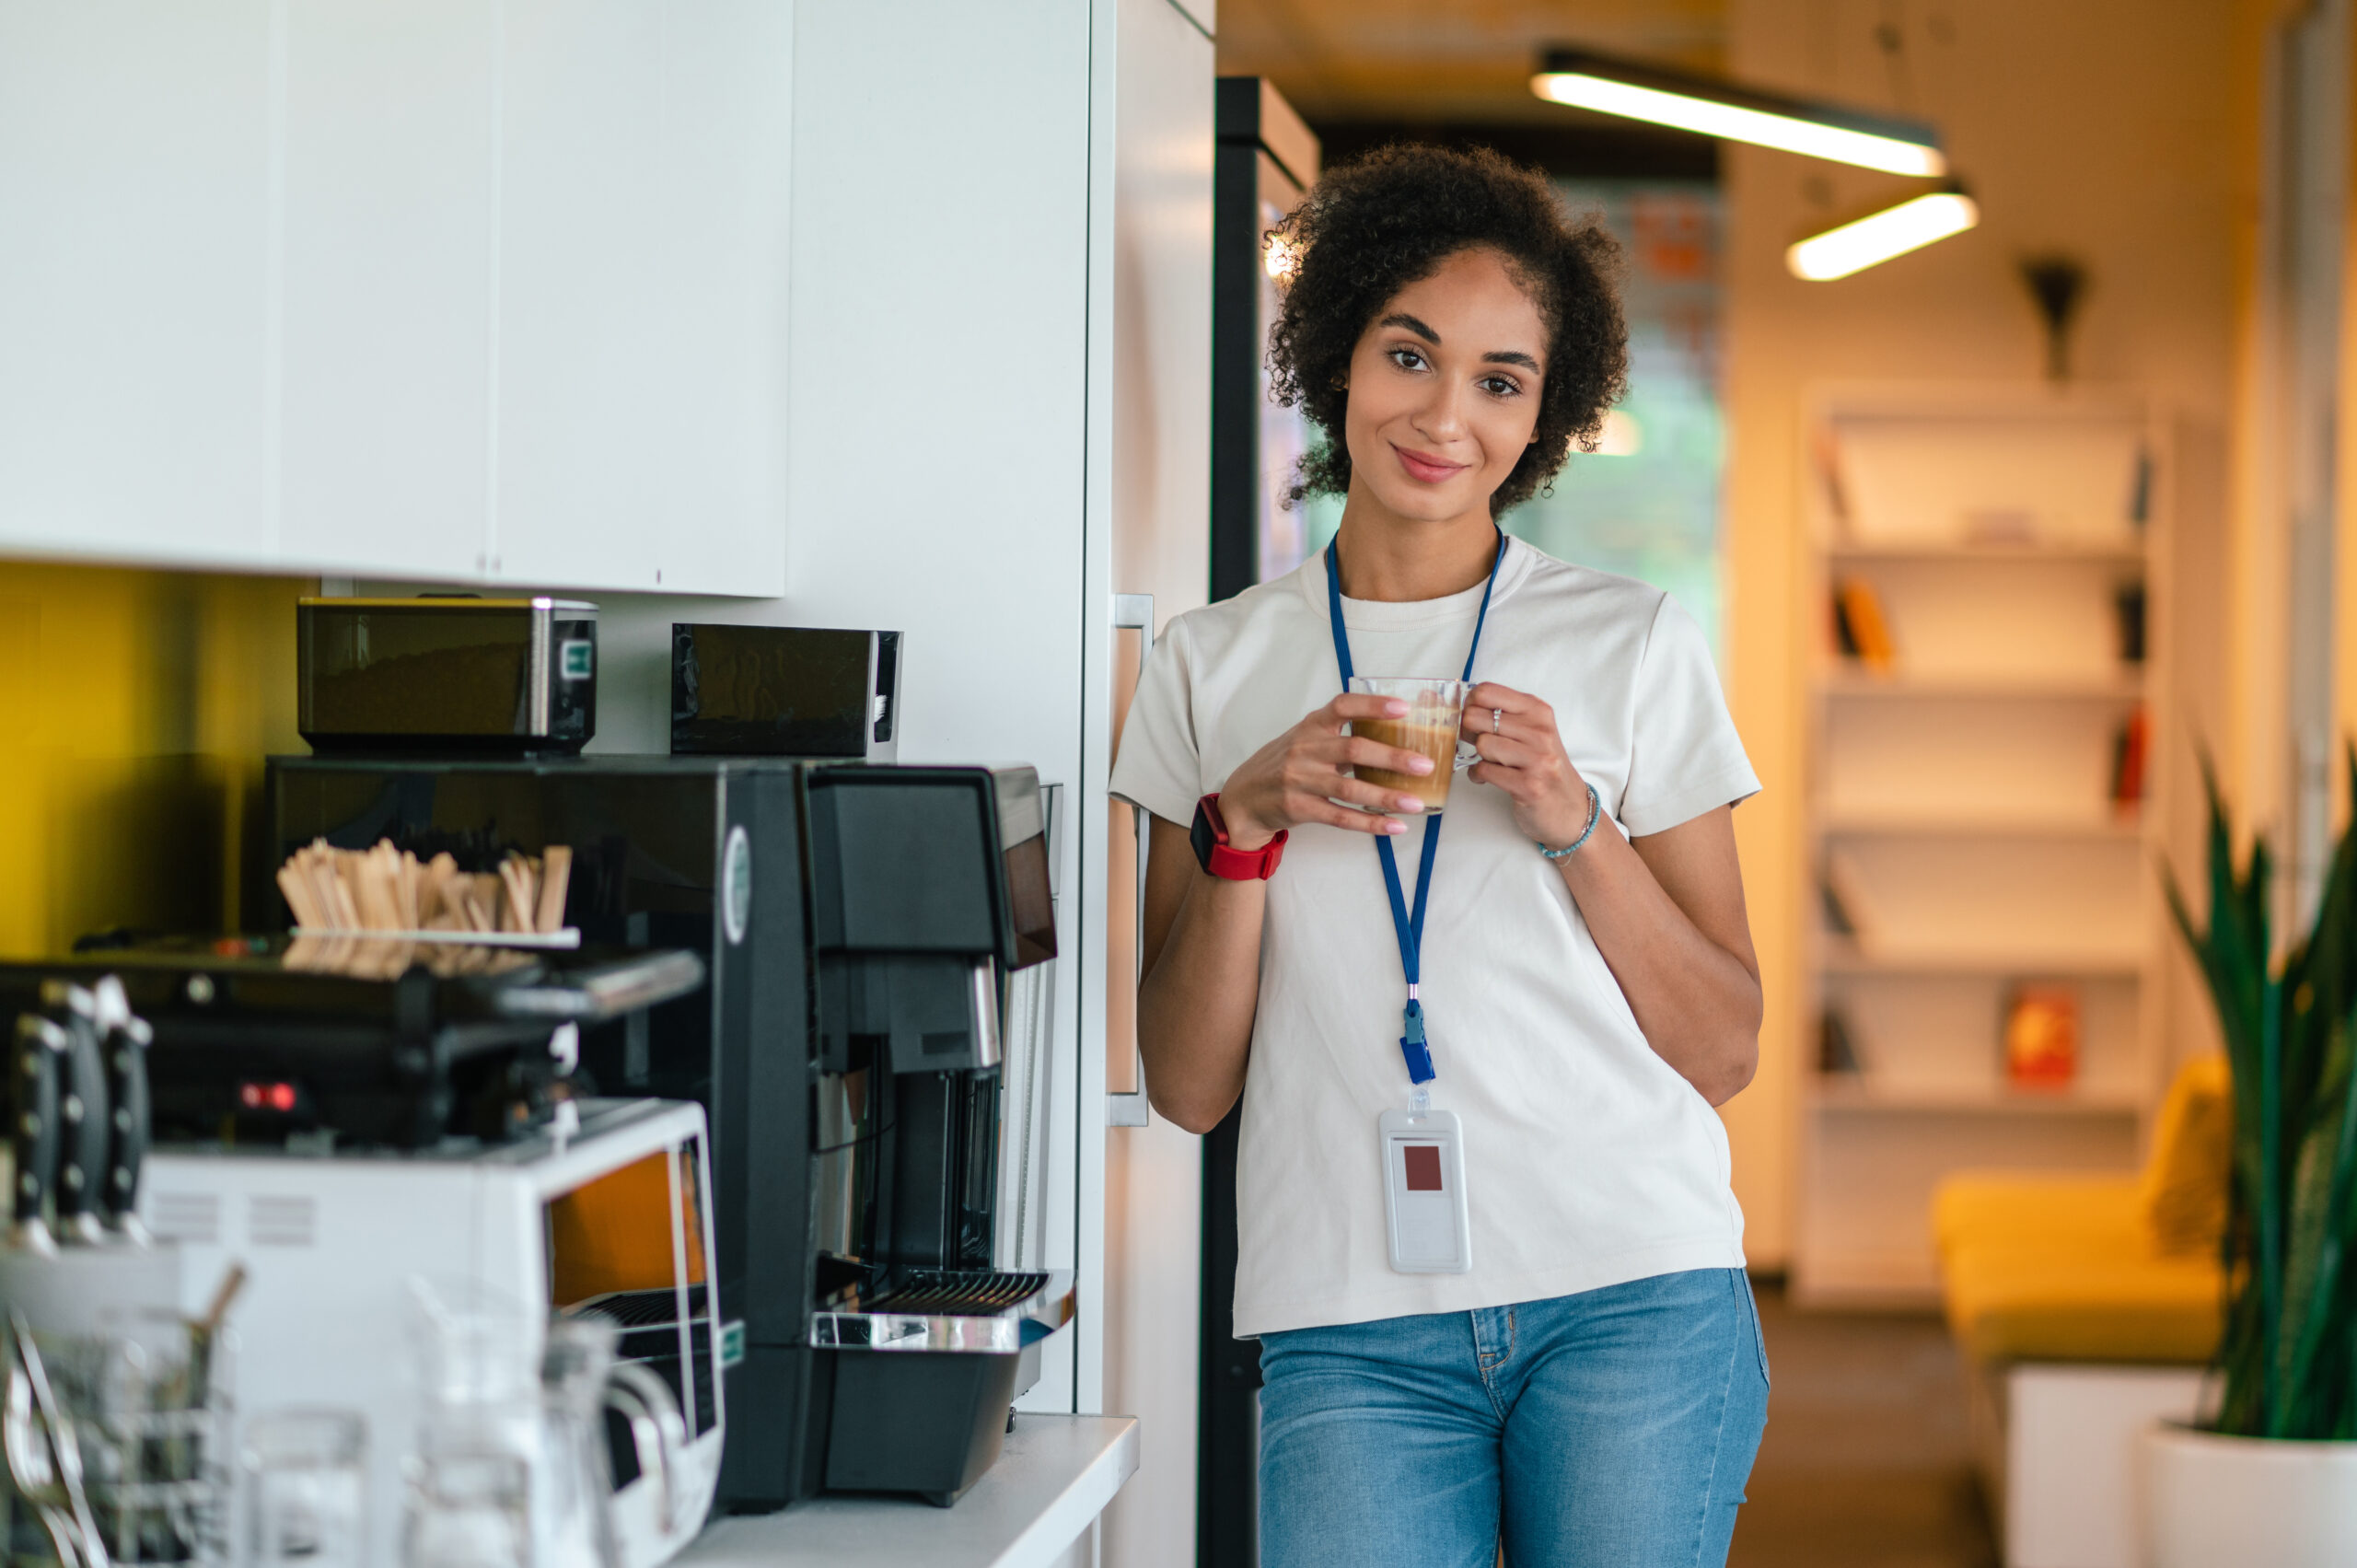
(1392, 218)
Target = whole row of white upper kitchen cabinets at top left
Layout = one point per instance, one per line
(442, 289)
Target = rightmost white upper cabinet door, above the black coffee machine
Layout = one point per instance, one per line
(645, 183)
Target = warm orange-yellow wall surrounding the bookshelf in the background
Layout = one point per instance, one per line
(2115, 131)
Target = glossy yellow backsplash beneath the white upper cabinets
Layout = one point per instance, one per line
(136, 711)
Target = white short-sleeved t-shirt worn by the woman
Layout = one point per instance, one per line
(1587, 1159)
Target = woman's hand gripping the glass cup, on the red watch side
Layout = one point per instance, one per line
(1298, 777)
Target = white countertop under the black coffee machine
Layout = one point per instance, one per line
(1055, 1477)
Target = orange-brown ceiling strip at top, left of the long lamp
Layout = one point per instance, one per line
(1448, 60)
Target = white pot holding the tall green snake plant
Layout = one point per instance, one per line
(2247, 1503)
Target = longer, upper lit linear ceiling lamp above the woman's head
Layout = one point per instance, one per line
(1738, 114)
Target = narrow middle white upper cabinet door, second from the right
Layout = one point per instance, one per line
(390, 199)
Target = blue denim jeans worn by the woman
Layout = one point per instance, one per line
(1604, 1430)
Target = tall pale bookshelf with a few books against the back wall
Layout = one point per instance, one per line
(1962, 803)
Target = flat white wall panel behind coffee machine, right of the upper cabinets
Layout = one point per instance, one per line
(937, 414)
